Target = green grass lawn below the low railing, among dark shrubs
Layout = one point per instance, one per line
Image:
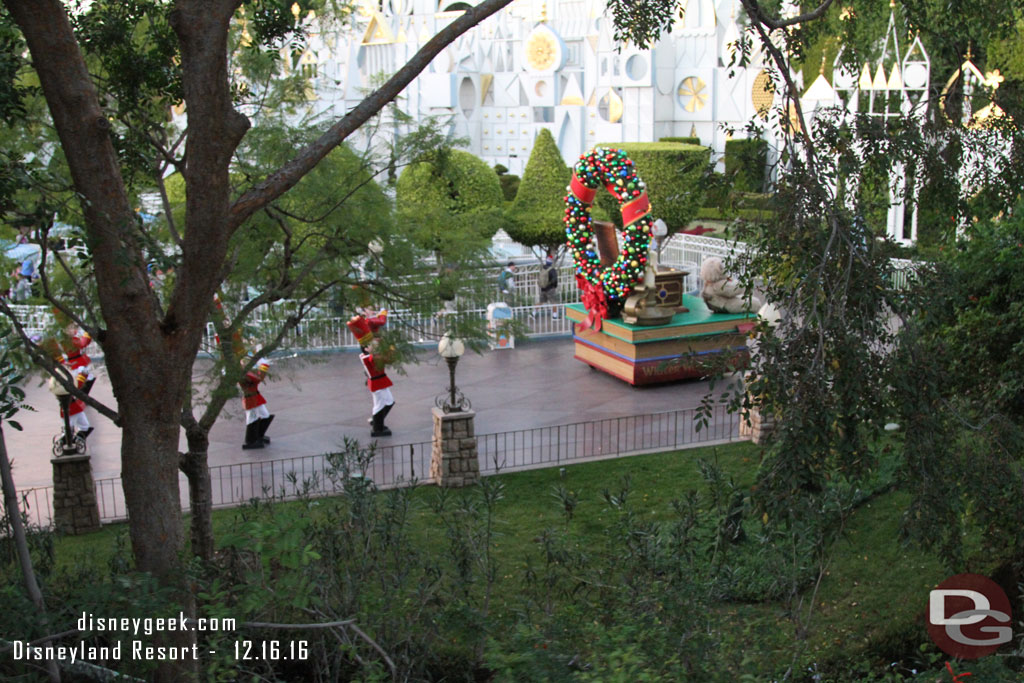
(872, 600)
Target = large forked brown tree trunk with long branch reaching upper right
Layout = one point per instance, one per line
(150, 354)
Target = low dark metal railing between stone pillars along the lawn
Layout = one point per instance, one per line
(408, 464)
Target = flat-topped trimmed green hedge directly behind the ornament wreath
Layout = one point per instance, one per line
(672, 173)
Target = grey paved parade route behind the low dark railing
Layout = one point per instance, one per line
(320, 400)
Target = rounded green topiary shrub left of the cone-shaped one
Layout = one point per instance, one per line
(451, 196)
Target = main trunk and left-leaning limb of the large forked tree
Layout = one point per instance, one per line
(145, 355)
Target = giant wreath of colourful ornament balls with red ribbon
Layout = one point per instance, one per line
(602, 285)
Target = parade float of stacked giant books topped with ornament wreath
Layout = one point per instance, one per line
(635, 322)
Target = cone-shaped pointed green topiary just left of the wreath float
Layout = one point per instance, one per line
(536, 216)
